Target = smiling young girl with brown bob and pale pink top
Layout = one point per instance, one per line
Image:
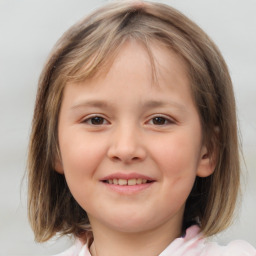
(134, 147)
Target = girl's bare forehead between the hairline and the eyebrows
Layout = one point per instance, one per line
(136, 73)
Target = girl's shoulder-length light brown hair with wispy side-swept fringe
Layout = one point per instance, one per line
(79, 54)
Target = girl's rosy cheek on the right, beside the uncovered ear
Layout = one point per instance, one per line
(177, 160)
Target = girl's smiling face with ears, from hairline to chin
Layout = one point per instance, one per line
(131, 149)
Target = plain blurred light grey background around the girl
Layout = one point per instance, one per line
(28, 30)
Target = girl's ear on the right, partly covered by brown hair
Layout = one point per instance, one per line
(207, 163)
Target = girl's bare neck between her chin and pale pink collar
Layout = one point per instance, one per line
(149, 243)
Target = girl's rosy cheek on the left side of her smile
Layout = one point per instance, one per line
(81, 158)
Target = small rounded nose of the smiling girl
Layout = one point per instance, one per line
(126, 145)
